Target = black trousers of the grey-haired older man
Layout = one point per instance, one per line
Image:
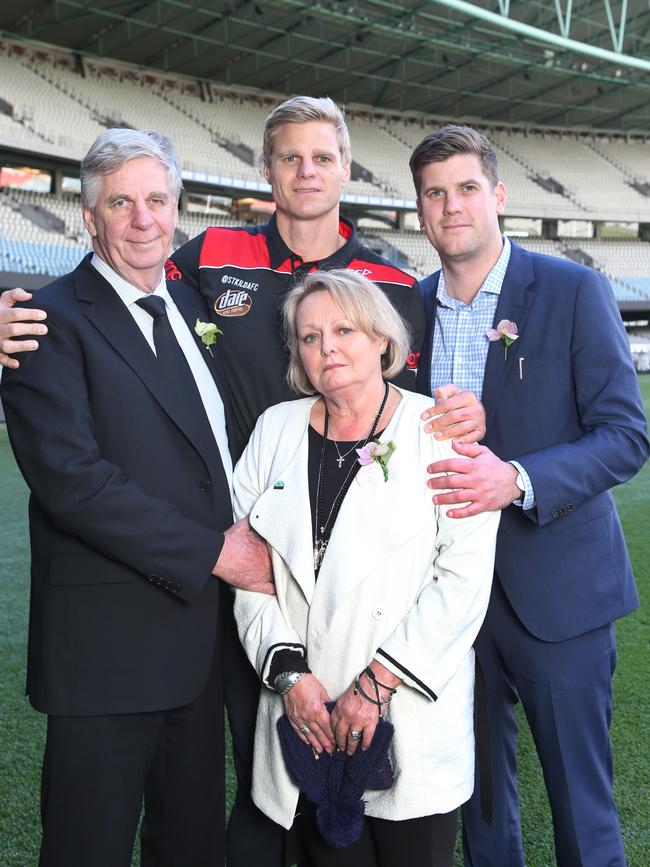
(97, 770)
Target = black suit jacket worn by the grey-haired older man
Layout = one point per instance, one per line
(128, 501)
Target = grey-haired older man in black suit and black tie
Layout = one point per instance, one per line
(119, 427)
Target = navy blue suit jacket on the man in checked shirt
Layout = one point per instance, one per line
(575, 422)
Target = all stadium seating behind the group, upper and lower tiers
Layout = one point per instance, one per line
(55, 106)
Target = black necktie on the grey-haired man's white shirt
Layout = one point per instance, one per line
(171, 359)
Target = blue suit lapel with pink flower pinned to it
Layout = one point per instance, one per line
(514, 302)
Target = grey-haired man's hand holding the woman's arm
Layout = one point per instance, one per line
(245, 561)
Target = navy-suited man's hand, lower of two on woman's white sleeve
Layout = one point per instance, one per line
(485, 483)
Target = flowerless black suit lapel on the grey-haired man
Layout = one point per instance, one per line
(112, 319)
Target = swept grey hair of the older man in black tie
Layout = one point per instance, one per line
(115, 147)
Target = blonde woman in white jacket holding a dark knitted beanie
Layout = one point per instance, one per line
(379, 594)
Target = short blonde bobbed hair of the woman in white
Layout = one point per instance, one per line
(363, 303)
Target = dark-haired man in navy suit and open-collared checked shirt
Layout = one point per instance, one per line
(564, 425)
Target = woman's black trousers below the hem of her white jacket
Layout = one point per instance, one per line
(425, 842)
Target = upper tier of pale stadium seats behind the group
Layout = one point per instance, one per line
(221, 136)
